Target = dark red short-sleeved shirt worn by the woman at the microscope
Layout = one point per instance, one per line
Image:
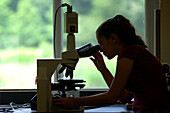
(147, 80)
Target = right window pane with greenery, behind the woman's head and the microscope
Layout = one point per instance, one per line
(91, 14)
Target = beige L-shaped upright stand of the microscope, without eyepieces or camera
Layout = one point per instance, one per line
(45, 69)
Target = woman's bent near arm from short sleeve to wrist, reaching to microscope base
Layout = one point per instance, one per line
(124, 68)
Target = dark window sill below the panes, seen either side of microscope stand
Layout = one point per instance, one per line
(21, 96)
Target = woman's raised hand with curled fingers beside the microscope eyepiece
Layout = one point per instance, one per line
(98, 61)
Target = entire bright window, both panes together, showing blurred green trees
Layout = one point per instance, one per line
(26, 33)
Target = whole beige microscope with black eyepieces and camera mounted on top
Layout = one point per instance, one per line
(46, 68)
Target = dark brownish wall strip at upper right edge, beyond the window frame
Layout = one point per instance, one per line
(165, 31)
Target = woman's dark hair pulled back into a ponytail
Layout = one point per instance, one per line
(122, 27)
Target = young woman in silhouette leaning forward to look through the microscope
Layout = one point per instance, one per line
(138, 71)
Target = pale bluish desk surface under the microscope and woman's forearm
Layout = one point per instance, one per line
(109, 109)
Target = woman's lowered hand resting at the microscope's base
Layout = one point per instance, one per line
(66, 103)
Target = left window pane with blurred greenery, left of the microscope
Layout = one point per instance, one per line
(25, 35)
